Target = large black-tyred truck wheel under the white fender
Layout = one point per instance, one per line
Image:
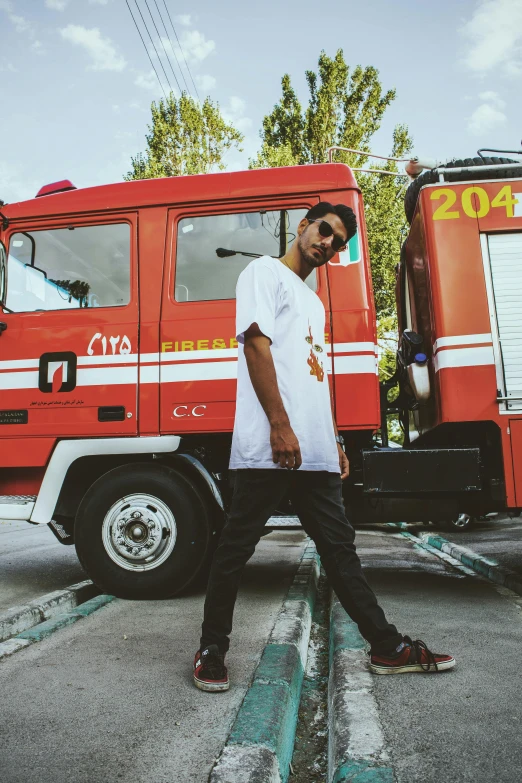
(142, 531)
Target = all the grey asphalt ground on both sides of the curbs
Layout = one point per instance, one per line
(89, 706)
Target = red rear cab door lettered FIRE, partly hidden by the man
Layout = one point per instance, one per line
(207, 249)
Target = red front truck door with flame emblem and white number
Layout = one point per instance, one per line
(68, 354)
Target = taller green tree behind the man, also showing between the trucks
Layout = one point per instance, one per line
(345, 108)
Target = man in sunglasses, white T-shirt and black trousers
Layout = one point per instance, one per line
(285, 442)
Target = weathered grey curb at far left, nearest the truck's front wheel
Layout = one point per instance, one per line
(20, 618)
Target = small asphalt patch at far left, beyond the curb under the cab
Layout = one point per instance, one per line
(33, 562)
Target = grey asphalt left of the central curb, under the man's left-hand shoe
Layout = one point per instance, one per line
(90, 706)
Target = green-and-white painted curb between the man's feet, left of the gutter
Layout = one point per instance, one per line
(260, 746)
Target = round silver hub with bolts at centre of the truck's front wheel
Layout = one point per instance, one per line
(139, 532)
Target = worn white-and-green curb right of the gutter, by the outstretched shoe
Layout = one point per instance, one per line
(356, 750)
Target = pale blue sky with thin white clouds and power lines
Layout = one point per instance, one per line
(76, 81)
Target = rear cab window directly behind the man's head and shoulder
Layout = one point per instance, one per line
(210, 250)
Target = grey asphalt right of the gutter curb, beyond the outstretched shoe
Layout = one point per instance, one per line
(463, 725)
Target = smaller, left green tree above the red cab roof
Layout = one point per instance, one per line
(184, 137)
